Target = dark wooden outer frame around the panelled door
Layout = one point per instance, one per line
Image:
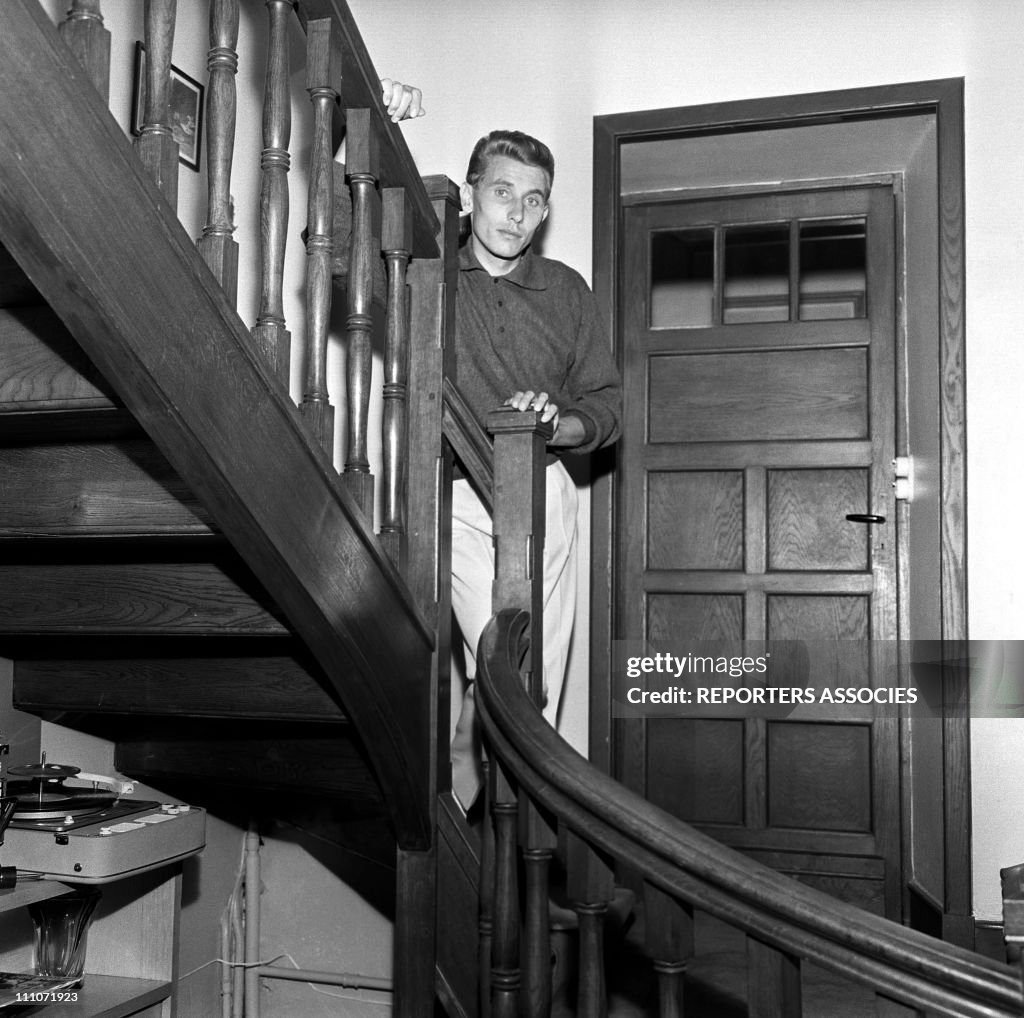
(945, 100)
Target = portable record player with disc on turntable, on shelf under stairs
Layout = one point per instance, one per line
(93, 833)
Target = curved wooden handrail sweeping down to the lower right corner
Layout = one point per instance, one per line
(902, 964)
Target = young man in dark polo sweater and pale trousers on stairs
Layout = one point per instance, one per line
(529, 336)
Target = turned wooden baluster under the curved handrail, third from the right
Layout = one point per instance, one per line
(590, 889)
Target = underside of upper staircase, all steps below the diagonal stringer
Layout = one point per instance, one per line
(125, 609)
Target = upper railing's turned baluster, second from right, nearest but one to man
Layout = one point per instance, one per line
(363, 162)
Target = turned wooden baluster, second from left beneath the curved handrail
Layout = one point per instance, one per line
(505, 974)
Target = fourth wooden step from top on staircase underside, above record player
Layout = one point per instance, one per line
(245, 688)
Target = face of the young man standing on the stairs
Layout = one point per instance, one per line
(508, 205)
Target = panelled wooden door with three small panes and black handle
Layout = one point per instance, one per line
(760, 372)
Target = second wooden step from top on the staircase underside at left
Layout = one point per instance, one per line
(122, 488)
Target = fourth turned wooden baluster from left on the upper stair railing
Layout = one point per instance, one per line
(273, 340)
